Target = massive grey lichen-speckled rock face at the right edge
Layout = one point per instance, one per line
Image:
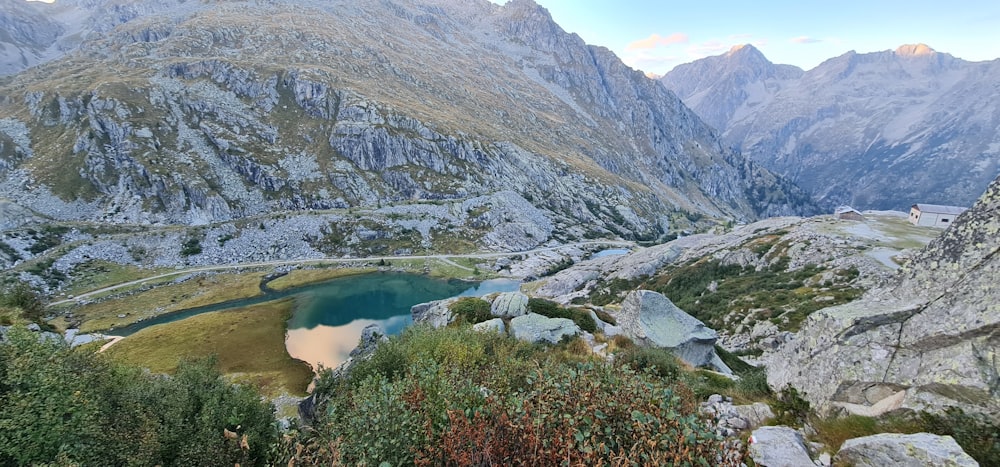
(929, 340)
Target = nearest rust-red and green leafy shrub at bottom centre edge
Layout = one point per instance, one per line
(582, 414)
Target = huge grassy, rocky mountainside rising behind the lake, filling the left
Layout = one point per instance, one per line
(200, 113)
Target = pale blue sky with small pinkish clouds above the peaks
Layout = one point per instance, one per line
(656, 35)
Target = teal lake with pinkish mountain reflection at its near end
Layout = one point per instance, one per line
(328, 320)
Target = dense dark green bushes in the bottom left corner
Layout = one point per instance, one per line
(68, 407)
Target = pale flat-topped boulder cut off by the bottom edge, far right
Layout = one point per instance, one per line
(916, 450)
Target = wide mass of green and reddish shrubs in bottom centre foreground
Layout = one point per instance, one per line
(500, 402)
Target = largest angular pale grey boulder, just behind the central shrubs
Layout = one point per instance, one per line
(651, 319)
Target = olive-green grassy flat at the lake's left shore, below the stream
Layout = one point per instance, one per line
(248, 342)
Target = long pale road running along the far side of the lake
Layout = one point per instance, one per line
(444, 257)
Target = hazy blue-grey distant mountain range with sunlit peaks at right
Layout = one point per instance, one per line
(879, 130)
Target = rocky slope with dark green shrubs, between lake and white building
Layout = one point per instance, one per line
(762, 279)
